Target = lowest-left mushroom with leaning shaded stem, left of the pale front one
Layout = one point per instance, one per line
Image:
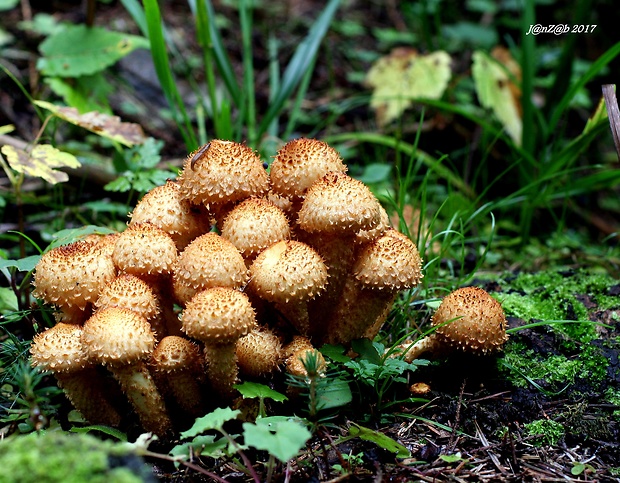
(59, 350)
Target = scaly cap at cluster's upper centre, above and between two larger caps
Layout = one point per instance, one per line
(254, 224)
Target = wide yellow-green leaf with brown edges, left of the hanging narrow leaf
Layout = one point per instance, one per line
(404, 75)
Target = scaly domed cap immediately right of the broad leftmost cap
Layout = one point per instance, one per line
(144, 250)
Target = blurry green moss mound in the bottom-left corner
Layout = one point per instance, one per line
(56, 456)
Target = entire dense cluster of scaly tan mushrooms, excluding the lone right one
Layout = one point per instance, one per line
(229, 272)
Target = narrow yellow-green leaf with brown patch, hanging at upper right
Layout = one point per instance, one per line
(495, 78)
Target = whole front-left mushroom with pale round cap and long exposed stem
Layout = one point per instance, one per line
(122, 341)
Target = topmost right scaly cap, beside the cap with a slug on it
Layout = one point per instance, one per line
(299, 163)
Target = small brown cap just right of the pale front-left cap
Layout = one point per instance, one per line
(174, 353)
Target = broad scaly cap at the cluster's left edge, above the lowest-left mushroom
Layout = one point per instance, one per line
(73, 275)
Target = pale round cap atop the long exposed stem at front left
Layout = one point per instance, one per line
(117, 336)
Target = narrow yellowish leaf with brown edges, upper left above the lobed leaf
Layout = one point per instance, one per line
(111, 127)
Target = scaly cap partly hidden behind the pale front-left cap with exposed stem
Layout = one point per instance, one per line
(132, 293)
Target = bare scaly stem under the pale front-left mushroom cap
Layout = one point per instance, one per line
(139, 387)
